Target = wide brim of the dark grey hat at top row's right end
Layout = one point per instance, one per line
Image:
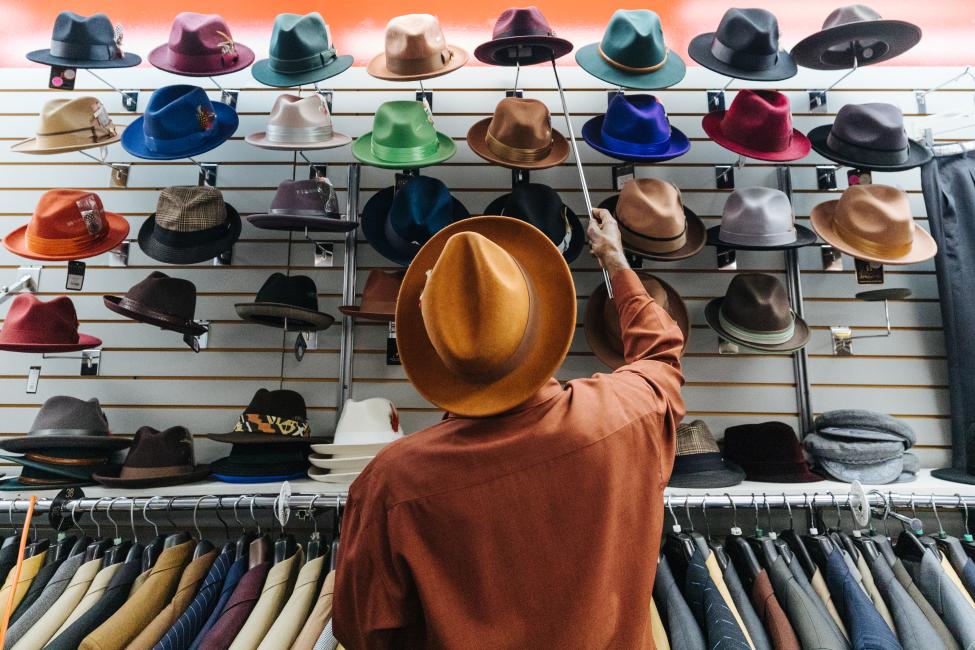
(898, 35)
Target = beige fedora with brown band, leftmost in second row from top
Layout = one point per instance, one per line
(71, 125)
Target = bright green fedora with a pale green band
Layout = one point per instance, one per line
(403, 137)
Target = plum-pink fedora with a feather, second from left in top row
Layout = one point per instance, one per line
(201, 45)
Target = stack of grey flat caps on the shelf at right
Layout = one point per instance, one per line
(855, 445)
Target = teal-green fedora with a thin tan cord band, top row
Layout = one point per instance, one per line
(632, 53)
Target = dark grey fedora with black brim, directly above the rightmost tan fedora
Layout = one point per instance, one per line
(869, 136)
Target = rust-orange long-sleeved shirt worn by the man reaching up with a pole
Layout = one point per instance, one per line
(537, 528)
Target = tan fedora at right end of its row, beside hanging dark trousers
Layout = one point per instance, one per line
(873, 223)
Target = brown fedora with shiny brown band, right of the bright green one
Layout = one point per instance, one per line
(519, 135)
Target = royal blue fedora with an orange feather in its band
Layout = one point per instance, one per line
(180, 121)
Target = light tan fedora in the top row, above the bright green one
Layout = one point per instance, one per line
(415, 49)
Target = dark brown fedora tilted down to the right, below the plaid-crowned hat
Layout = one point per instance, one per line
(168, 303)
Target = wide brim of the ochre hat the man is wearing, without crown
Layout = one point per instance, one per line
(553, 324)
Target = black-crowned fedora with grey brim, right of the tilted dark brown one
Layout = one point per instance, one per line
(290, 301)
